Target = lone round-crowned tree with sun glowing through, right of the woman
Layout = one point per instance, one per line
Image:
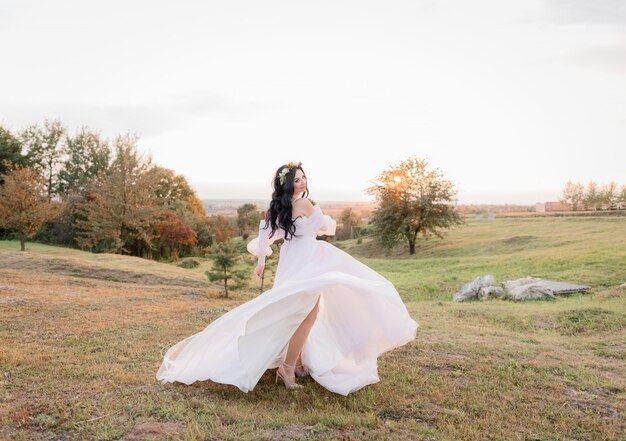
(412, 200)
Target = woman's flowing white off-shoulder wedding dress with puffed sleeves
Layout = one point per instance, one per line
(360, 316)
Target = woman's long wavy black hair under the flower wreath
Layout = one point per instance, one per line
(279, 213)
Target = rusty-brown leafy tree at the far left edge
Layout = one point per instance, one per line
(24, 206)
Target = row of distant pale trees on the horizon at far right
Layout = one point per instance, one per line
(593, 196)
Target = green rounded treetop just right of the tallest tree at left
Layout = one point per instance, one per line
(87, 158)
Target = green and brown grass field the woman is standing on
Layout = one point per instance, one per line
(82, 336)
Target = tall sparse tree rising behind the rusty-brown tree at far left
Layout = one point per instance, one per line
(45, 152)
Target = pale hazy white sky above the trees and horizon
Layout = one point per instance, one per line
(509, 99)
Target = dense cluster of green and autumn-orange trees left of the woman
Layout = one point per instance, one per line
(99, 194)
